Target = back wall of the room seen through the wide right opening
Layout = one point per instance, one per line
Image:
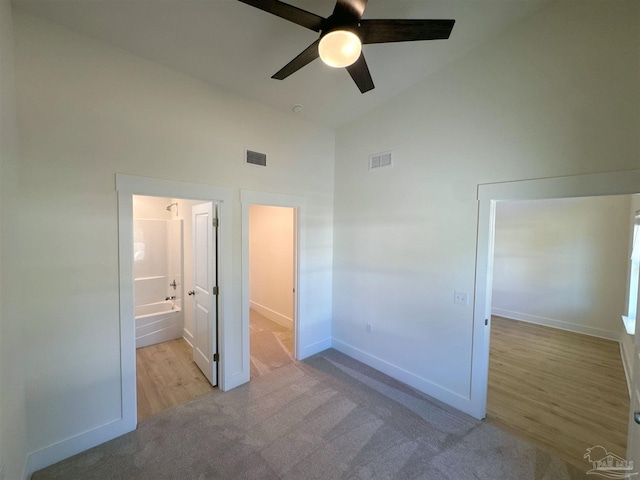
(563, 263)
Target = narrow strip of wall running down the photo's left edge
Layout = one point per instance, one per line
(13, 422)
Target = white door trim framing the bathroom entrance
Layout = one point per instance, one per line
(127, 186)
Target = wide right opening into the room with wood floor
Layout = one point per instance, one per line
(560, 271)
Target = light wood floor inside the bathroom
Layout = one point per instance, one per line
(166, 377)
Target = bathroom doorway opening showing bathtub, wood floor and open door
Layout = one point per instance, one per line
(169, 326)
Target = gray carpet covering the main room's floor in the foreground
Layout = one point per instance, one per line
(329, 417)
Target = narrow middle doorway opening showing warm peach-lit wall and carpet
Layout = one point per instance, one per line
(272, 272)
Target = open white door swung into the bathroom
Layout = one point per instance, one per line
(205, 290)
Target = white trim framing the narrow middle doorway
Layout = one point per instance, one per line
(251, 197)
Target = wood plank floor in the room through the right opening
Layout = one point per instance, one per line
(563, 391)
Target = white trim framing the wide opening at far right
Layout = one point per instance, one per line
(589, 185)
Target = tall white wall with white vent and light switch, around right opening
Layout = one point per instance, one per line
(556, 95)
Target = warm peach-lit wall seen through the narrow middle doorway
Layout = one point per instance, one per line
(271, 262)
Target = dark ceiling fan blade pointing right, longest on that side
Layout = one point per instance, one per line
(385, 31)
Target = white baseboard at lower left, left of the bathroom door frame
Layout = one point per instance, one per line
(71, 446)
